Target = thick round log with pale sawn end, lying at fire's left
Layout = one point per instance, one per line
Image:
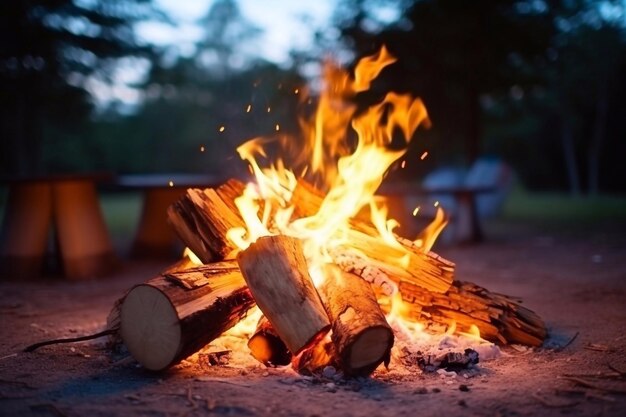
(175, 314)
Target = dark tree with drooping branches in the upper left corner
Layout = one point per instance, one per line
(51, 52)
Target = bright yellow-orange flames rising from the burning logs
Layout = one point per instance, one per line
(349, 170)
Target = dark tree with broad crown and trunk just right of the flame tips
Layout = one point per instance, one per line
(452, 53)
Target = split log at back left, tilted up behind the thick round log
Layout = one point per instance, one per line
(203, 217)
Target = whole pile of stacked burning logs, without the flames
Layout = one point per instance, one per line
(342, 322)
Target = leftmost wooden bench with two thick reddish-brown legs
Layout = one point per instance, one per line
(66, 204)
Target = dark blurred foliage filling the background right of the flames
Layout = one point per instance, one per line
(532, 81)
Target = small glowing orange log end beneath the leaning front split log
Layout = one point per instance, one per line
(266, 346)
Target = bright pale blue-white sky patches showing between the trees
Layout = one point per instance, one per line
(281, 22)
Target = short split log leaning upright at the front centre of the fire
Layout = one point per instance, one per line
(277, 274)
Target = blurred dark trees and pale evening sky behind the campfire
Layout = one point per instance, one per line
(158, 86)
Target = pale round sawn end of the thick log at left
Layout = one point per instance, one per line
(150, 327)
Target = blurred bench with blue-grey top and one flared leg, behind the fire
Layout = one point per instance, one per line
(154, 237)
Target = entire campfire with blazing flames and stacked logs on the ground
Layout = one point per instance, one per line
(308, 241)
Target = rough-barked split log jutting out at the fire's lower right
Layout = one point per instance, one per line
(499, 318)
